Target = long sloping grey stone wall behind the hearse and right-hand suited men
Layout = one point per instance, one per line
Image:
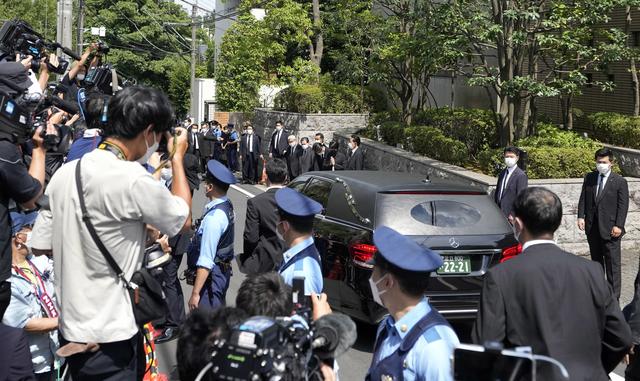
(382, 157)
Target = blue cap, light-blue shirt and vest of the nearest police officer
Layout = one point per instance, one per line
(420, 344)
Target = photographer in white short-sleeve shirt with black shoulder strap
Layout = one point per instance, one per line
(96, 314)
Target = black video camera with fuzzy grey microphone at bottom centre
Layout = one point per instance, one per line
(281, 349)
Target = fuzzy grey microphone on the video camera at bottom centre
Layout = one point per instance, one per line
(334, 334)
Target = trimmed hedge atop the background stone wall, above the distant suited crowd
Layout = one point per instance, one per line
(326, 98)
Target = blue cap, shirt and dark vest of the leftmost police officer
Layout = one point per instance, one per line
(215, 235)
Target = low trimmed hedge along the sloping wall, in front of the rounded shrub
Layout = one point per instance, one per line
(431, 142)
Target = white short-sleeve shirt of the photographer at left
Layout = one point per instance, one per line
(121, 197)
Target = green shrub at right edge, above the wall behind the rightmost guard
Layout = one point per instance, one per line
(616, 129)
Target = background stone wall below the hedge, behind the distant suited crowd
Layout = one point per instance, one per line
(308, 125)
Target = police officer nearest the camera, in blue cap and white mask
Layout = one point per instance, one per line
(414, 342)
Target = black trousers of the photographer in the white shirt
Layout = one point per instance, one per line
(117, 361)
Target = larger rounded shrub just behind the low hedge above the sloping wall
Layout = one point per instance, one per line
(476, 128)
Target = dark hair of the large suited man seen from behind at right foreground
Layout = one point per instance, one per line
(539, 209)
